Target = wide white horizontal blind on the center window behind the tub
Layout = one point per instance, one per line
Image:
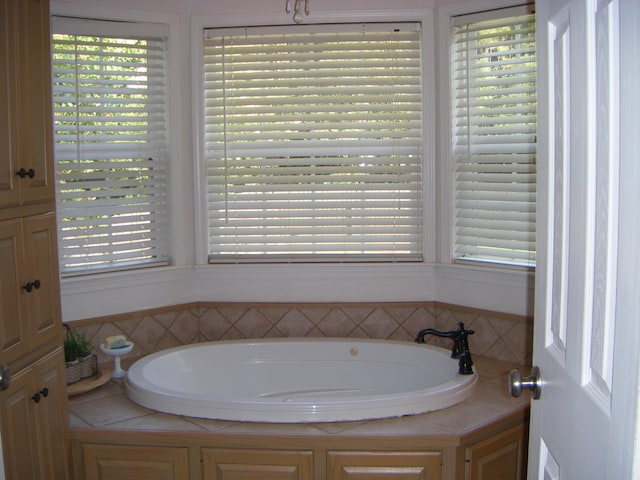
(313, 144)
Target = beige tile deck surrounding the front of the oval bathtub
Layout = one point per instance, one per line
(107, 408)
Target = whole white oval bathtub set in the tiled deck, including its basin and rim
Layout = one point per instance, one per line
(298, 380)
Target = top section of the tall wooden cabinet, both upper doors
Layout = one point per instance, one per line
(26, 169)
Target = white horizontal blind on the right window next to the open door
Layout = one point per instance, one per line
(494, 140)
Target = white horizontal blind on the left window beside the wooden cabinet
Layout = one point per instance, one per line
(111, 157)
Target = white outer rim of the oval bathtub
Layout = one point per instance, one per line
(447, 394)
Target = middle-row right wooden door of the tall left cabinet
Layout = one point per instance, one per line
(40, 292)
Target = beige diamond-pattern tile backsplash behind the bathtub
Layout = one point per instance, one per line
(500, 336)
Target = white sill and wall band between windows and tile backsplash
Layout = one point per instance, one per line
(490, 288)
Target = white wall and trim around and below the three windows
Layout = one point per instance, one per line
(190, 279)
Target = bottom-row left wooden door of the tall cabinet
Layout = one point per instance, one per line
(19, 429)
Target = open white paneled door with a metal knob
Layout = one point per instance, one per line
(586, 338)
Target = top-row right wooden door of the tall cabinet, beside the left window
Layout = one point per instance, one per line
(34, 95)
